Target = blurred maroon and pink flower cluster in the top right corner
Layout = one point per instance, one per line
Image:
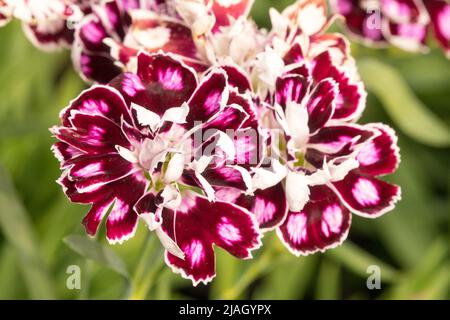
(403, 23)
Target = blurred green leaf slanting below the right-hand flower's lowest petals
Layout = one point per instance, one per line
(357, 260)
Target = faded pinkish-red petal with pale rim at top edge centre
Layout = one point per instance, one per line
(227, 11)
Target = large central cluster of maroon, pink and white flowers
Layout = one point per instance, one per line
(212, 131)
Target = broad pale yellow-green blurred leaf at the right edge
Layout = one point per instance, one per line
(405, 109)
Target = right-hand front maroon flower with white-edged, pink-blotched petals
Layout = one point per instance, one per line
(322, 167)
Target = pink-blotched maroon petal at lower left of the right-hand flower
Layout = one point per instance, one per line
(268, 205)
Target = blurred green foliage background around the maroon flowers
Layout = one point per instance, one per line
(41, 233)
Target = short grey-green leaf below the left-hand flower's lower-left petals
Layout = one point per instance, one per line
(97, 252)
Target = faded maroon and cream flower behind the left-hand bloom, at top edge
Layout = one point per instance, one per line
(113, 34)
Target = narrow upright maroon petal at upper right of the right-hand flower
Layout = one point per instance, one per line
(321, 104)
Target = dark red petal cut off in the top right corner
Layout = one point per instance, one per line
(439, 11)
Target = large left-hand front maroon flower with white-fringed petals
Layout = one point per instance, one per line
(152, 144)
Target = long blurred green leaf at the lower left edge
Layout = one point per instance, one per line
(19, 232)
